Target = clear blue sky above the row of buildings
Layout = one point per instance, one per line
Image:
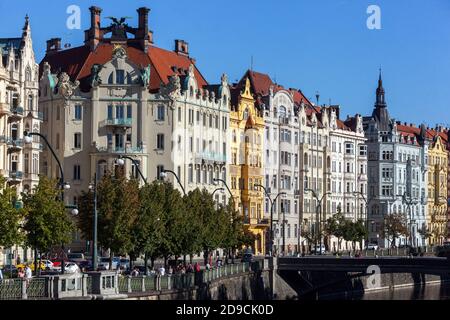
(321, 45)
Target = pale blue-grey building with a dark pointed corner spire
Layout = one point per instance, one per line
(397, 168)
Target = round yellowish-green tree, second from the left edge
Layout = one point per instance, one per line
(47, 223)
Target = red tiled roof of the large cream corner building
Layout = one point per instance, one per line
(77, 63)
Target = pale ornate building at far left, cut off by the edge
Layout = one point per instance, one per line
(19, 162)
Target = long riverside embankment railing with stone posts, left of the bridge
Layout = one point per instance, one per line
(82, 285)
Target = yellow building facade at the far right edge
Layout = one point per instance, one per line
(437, 190)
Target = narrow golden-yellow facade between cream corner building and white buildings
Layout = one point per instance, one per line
(246, 168)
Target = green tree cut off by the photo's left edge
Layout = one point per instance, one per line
(10, 217)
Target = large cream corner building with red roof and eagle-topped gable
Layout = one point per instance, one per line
(119, 96)
